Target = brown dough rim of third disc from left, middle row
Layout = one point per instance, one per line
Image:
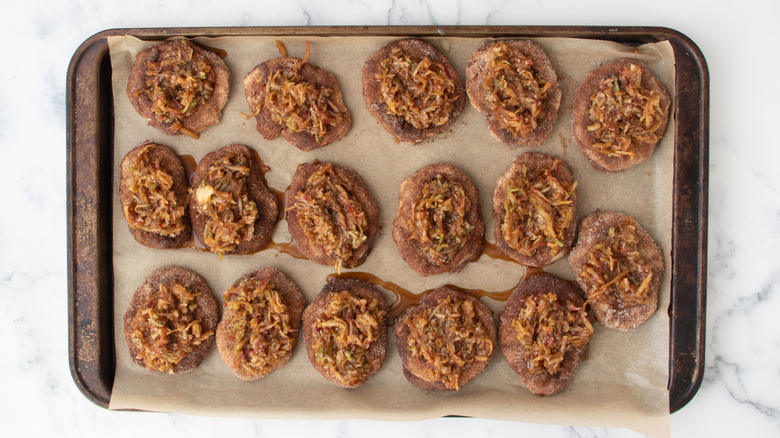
(360, 192)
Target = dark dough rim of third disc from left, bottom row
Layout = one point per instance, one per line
(377, 350)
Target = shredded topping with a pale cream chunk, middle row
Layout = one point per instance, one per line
(223, 197)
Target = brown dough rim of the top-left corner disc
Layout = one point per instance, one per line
(207, 114)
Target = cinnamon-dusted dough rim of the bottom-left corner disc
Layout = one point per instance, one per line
(207, 312)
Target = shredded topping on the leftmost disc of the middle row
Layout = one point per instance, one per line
(154, 205)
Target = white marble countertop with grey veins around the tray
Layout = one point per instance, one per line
(739, 395)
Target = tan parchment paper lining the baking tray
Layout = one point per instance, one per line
(622, 383)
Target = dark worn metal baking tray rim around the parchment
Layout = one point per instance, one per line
(89, 185)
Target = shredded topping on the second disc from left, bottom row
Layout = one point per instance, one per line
(261, 325)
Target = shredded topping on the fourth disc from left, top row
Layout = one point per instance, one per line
(515, 90)
